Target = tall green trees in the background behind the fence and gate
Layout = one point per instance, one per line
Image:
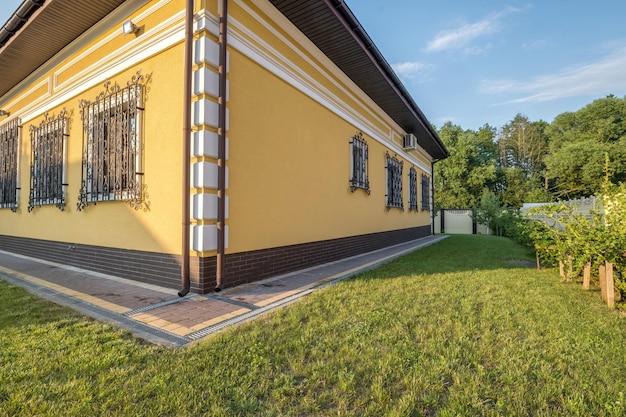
(534, 161)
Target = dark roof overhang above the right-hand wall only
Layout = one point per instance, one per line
(334, 29)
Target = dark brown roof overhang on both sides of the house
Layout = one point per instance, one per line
(26, 43)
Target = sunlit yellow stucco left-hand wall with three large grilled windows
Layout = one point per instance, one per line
(112, 224)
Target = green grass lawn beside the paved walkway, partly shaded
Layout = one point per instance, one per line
(458, 328)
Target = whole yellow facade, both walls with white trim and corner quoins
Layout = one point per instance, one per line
(291, 116)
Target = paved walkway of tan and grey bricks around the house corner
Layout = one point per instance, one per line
(158, 315)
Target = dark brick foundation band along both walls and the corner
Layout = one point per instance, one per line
(239, 268)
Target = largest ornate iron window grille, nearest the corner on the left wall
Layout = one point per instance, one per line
(112, 145)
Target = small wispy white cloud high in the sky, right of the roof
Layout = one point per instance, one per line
(461, 37)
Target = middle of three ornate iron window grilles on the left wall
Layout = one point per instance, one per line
(48, 172)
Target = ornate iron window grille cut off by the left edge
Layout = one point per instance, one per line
(9, 164)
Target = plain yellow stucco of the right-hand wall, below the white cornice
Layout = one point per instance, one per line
(290, 167)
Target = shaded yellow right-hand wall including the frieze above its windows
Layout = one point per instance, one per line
(289, 164)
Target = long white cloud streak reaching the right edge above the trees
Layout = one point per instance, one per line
(604, 76)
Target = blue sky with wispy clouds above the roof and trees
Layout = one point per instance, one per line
(484, 61)
